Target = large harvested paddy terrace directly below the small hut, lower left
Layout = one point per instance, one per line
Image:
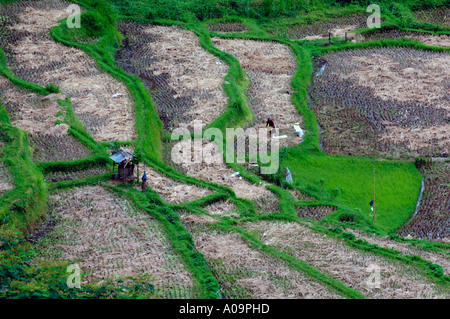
(113, 240)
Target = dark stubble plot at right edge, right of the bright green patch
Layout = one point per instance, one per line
(432, 219)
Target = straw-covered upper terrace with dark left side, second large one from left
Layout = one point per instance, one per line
(184, 80)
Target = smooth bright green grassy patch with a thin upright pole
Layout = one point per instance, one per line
(350, 179)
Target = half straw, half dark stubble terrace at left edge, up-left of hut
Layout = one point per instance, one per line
(37, 115)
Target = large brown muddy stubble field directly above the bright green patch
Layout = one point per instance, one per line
(383, 102)
